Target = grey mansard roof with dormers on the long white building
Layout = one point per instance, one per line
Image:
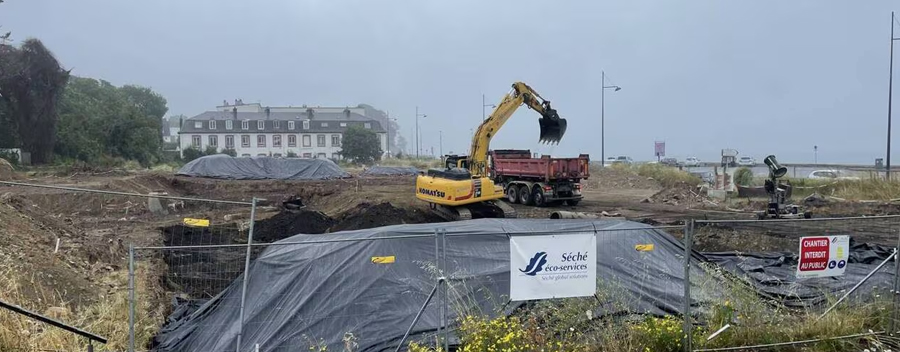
(320, 122)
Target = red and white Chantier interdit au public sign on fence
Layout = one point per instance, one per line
(823, 256)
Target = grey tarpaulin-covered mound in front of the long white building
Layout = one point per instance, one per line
(262, 168)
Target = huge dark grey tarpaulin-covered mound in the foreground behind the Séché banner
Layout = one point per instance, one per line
(303, 293)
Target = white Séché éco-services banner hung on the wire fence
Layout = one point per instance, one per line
(552, 266)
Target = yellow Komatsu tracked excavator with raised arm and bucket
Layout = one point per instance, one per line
(463, 189)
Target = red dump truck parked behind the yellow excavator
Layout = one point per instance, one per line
(538, 181)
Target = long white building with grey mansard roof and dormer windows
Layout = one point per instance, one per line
(252, 130)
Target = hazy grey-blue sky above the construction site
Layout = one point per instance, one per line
(759, 76)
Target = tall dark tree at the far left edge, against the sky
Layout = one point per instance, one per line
(32, 82)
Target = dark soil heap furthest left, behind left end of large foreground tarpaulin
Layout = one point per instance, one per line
(288, 223)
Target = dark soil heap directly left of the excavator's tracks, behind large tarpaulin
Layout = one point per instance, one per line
(366, 216)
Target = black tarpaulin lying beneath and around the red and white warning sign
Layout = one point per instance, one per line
(773, 275)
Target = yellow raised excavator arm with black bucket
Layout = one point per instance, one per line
(552, 126)
